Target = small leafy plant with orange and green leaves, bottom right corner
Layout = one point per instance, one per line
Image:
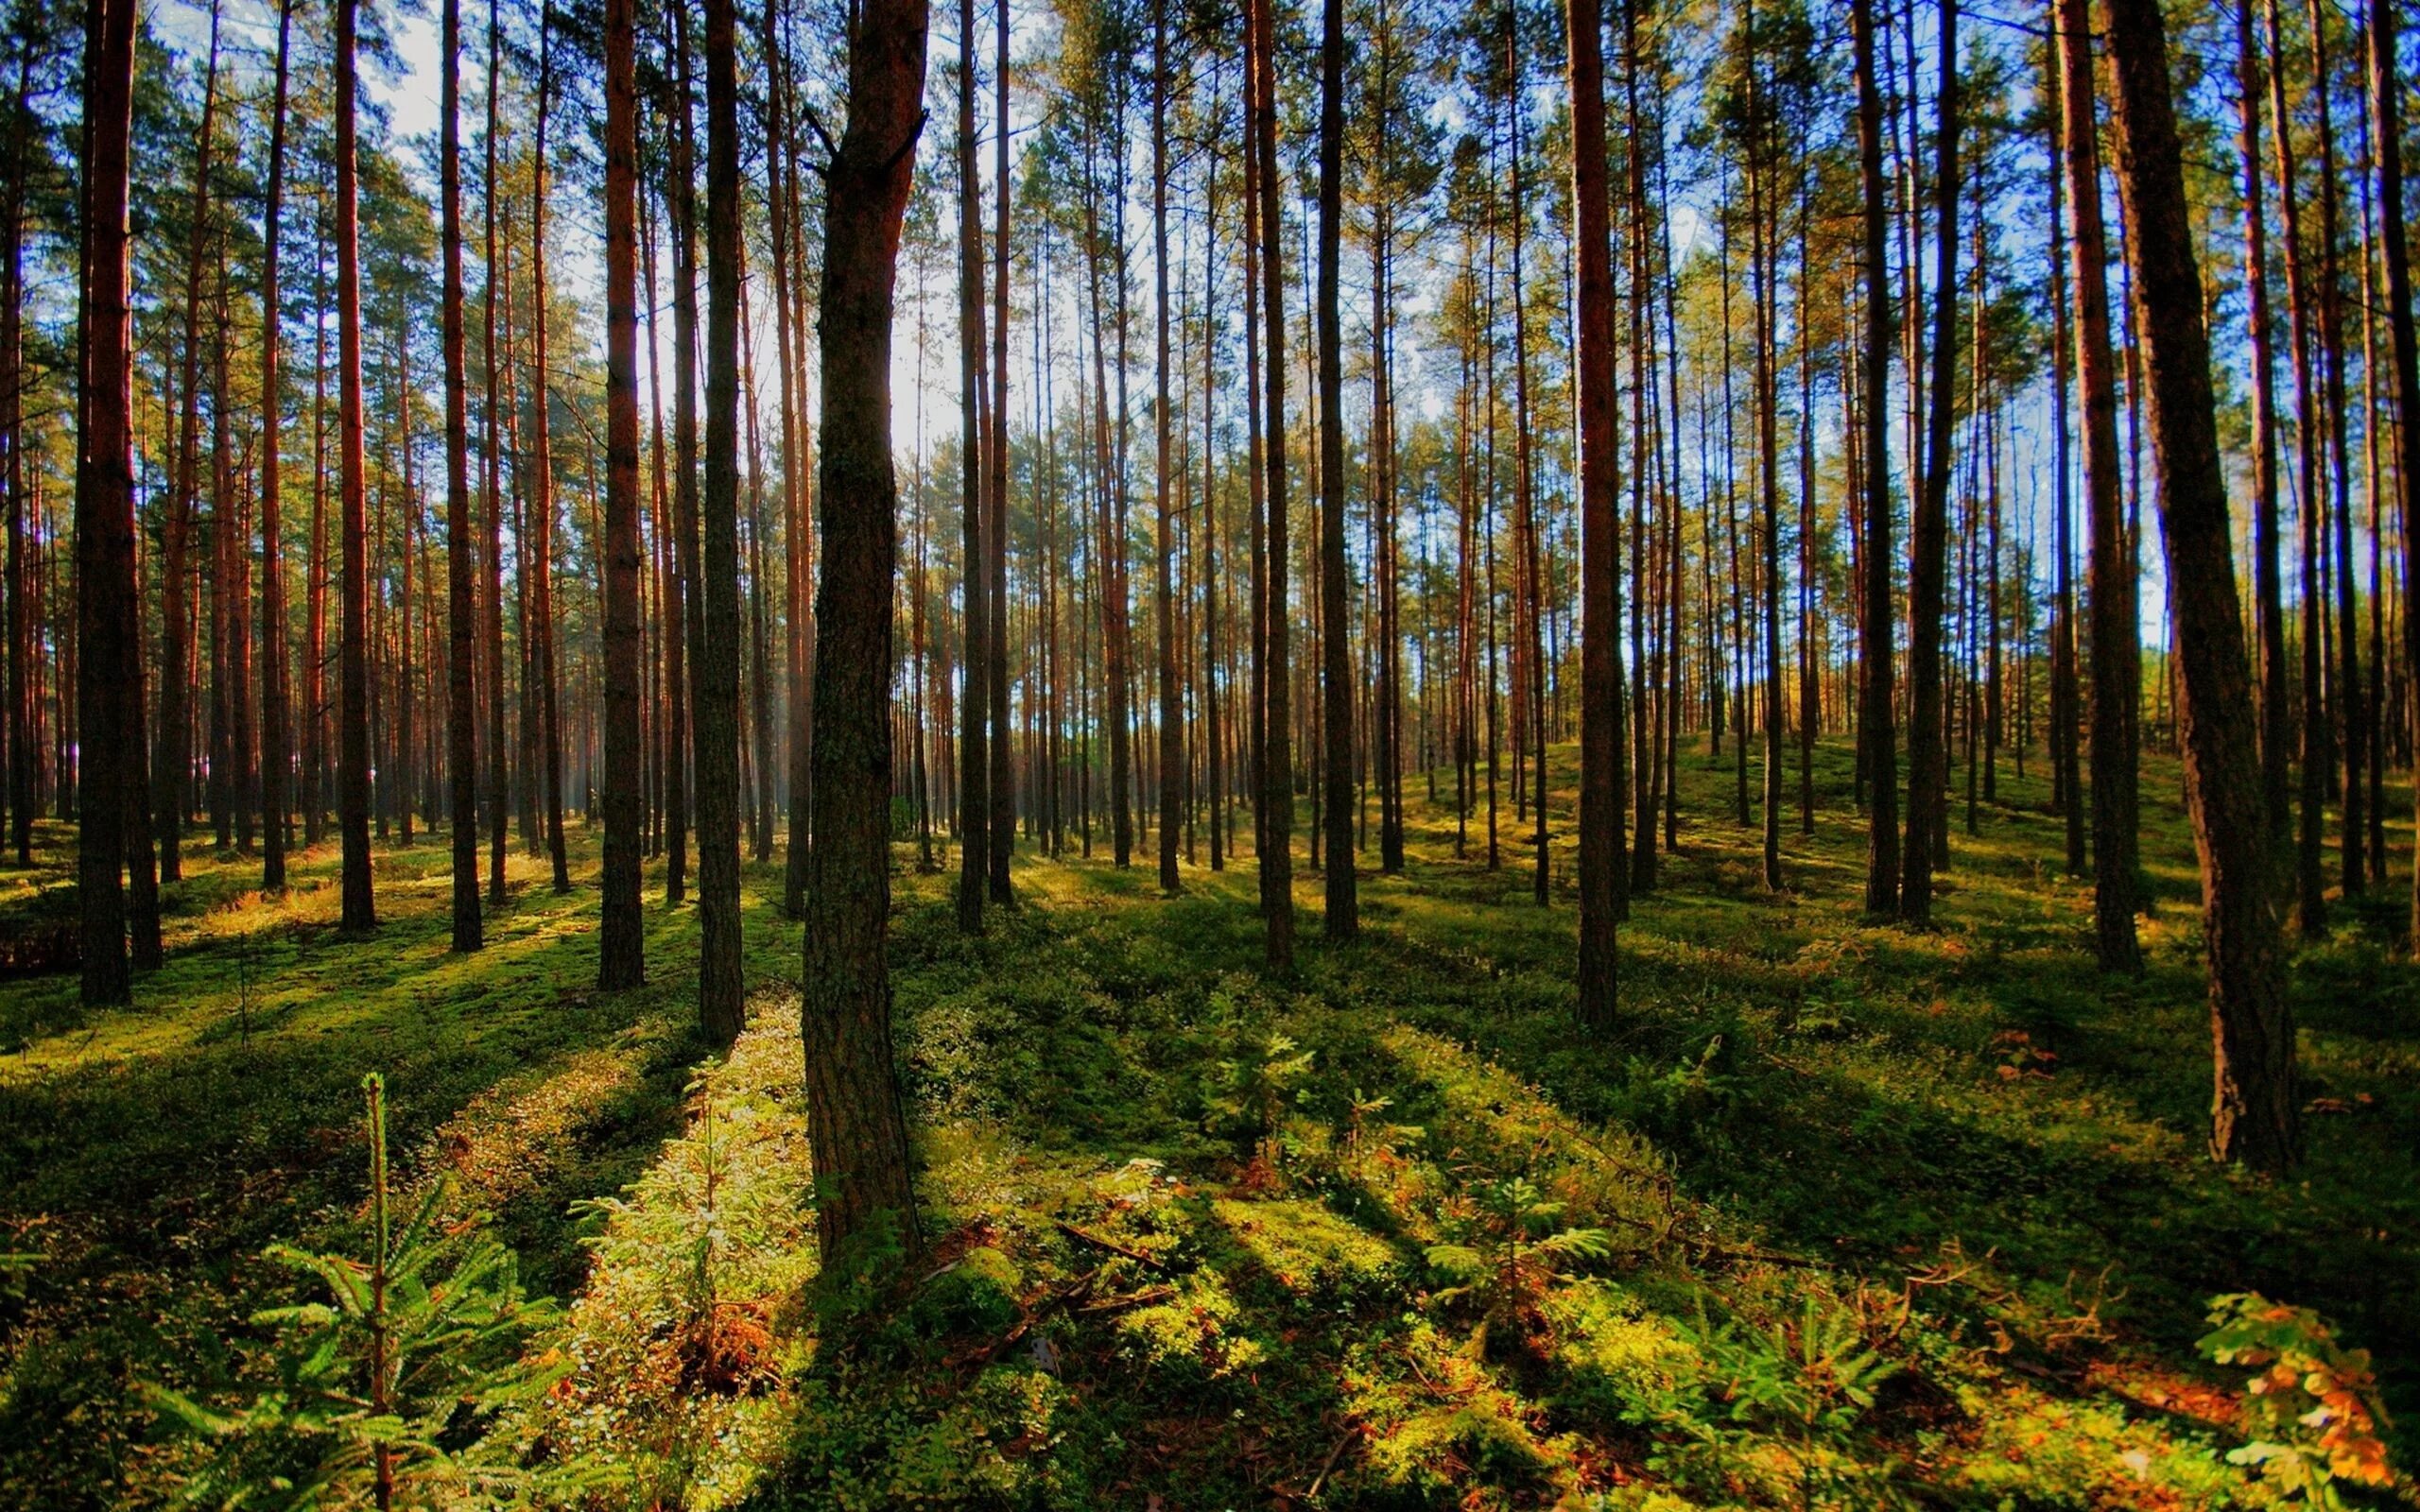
(2312, 1407)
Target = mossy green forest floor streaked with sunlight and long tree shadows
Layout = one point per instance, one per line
(1840, 1216)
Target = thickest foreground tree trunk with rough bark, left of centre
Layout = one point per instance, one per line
(855, 1116)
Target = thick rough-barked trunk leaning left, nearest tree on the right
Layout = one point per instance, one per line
(2254, 1107)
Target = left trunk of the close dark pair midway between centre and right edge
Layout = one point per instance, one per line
(1877, 710)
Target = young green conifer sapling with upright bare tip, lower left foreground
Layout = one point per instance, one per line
(391, 1385)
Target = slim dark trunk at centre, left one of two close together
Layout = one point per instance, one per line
(1277, 756)
